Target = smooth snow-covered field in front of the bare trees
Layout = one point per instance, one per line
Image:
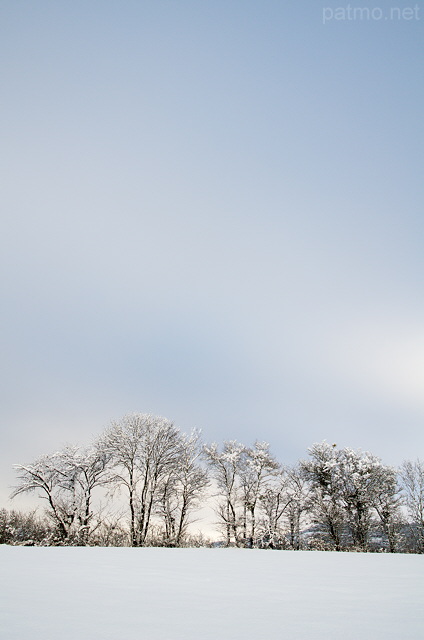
(221, 594)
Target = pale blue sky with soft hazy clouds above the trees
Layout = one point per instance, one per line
(212, 211)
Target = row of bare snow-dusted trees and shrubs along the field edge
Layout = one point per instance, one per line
(143, 481)
